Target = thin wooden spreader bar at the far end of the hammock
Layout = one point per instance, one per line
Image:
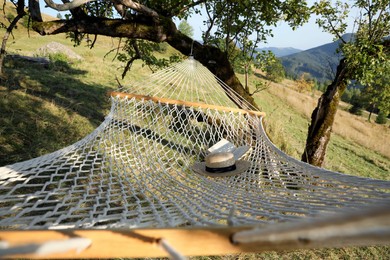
(186, 103)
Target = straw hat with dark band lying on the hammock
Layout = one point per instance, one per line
(221, 164)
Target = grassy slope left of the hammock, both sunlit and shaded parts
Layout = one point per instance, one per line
(47, 108)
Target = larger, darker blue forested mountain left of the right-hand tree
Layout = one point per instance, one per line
(320, 62)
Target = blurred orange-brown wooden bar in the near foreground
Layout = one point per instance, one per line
(129, 243)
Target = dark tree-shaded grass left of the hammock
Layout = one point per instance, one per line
(46, 109)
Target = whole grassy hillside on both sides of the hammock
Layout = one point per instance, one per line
(46, 108)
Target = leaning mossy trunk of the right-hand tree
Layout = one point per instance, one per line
(323, 117)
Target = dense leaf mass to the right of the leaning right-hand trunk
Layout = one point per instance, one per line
(369, 54)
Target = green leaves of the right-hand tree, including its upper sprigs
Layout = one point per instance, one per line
(367, 54)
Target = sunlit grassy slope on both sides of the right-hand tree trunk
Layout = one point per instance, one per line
(357, 147)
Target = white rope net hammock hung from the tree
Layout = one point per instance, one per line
(134, 172)
